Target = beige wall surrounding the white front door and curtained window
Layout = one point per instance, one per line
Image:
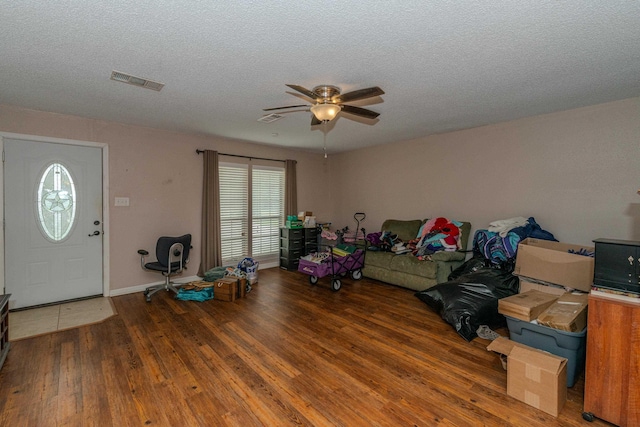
(162, 176)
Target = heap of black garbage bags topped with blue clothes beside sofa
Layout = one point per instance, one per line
(469, 300)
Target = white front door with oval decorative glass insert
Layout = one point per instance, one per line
(53, 222)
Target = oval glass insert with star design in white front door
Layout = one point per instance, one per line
(56, 203)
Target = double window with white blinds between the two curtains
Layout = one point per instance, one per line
(251, 211)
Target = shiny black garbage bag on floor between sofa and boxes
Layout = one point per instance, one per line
(471, 299)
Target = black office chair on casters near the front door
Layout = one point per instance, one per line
(172, 254)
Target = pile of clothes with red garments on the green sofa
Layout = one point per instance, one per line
(437, 234)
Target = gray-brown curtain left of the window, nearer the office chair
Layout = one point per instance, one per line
(211, 251)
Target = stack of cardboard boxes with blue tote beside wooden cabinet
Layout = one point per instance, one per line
(547, 322)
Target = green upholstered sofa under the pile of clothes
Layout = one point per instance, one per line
(408, 271)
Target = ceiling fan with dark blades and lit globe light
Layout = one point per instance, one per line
(328, 102)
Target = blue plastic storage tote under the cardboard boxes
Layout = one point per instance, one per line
(570, 345)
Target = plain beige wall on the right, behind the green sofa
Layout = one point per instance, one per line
(576, 172)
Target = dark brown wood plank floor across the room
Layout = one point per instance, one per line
(288, 354)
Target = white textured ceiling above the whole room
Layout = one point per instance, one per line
(444, 65)
